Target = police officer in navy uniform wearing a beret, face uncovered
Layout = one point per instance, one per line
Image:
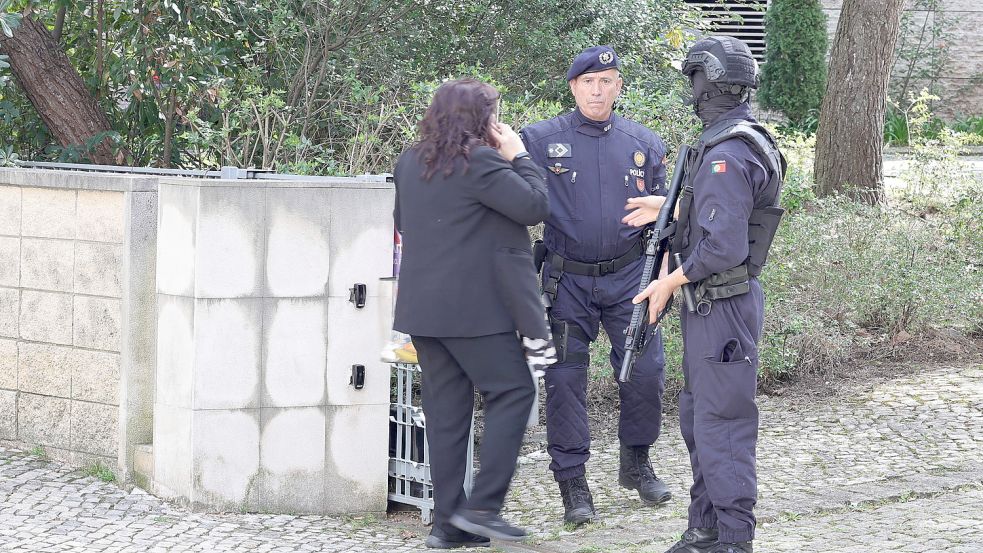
(596, 161)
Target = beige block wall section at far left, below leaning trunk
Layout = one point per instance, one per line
(76, 286)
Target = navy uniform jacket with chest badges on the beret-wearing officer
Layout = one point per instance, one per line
(592, 169)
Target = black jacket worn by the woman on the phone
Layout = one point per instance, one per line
(467, 268)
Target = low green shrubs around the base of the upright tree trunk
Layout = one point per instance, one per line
(844, 276)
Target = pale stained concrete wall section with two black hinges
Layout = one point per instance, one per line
(254, 409)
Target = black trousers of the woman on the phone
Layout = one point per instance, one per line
(452, 368)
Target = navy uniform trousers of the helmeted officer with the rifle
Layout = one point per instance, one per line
(717, 414)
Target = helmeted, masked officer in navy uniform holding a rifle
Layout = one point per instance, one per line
(727, 219)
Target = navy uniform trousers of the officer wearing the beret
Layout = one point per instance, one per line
(587, 301)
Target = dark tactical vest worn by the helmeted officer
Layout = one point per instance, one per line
(764, 219)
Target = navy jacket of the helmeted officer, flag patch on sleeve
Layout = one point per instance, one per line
(730, 181)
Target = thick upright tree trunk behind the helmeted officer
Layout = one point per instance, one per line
(850, 138)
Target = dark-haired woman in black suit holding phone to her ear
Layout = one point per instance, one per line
(465, 194)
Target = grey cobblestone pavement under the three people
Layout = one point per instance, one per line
(893, 466)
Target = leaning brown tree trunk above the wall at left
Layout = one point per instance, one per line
(56, 89)
